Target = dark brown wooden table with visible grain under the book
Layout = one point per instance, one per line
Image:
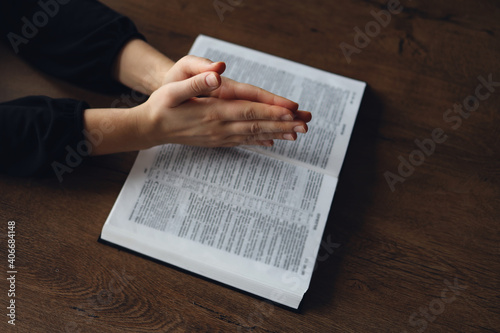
(422, 256)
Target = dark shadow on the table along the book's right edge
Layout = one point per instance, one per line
(352, 198)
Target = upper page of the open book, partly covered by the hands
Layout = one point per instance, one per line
(333, 101)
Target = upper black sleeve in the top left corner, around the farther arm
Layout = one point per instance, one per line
(74, 40)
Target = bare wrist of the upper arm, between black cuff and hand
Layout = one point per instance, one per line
(141, 67)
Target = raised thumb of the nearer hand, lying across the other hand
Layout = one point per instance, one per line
(199, 85)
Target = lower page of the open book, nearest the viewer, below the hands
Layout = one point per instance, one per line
(230, 214)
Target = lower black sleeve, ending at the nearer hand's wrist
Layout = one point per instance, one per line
(40, 134)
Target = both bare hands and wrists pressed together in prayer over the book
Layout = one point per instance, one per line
(232, 114)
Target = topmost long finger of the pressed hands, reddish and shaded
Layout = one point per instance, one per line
(255, 94)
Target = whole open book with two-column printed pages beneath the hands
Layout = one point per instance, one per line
(250, 217)
